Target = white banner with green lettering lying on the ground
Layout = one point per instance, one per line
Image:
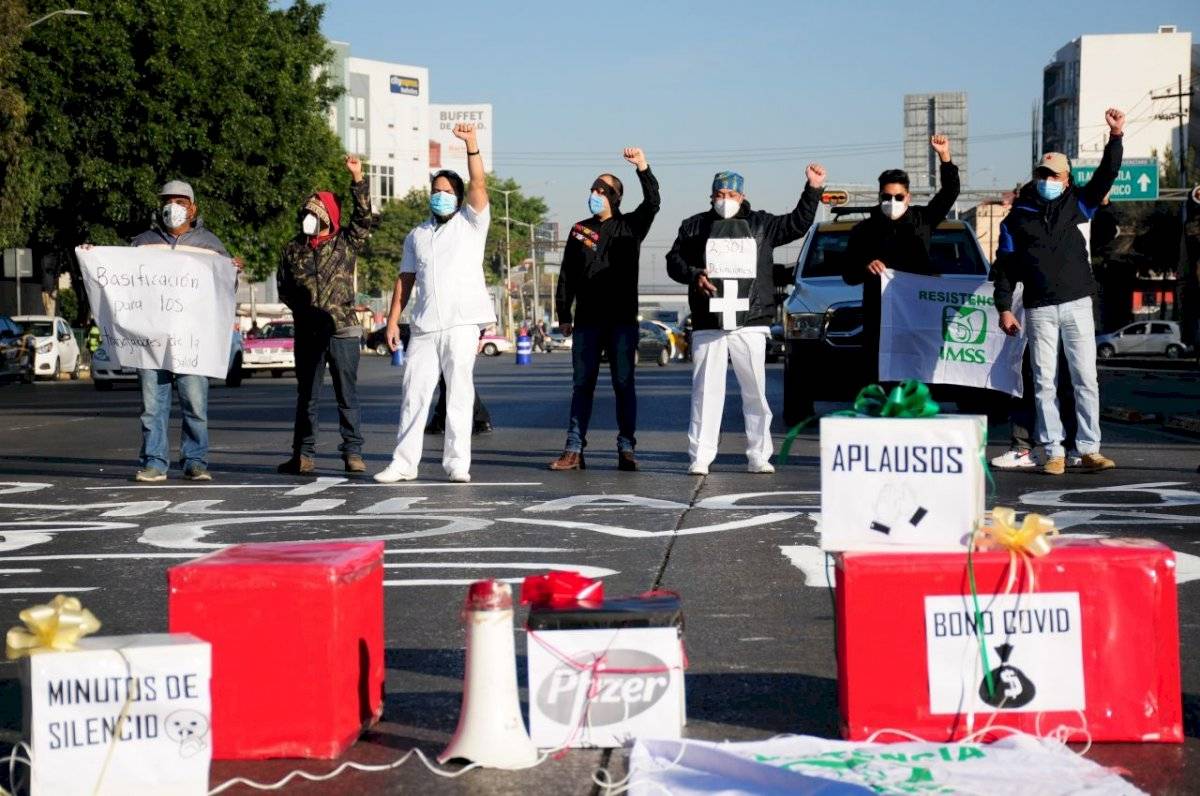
(808, 767)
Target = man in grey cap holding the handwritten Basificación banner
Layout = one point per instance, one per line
(177, 225)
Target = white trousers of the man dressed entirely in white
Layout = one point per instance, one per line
(451, 354)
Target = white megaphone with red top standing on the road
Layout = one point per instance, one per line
(491, 732)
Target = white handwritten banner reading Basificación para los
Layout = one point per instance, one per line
(163, 309)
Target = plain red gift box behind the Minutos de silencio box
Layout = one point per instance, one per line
(297, 635)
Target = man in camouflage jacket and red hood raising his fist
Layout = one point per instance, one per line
(316, 282)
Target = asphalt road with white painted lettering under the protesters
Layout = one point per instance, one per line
(741, 549)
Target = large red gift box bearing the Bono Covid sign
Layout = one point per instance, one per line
(1094, 645)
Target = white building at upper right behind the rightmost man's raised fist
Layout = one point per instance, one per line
(1126, 71)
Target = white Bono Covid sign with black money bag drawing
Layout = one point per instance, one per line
(1035, 650)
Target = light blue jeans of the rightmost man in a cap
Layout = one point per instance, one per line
(1076, 327)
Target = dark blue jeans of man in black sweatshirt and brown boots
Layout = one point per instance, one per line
(621, 343)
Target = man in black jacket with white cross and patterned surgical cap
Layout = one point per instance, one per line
(734, 246)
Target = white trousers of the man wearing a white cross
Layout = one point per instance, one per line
(712, 352)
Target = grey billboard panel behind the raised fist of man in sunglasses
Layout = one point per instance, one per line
(928, 115)
